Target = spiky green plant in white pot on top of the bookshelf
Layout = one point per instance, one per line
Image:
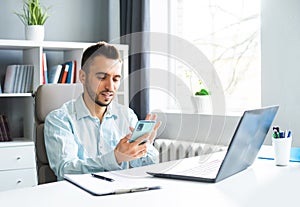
(33, 17)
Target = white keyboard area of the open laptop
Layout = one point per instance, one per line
(203, 169)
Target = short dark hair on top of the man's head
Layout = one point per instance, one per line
(99, 49)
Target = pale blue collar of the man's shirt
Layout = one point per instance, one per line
(83, 111)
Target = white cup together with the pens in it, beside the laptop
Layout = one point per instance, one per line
(282, 142)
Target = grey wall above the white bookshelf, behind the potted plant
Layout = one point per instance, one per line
(70, 20)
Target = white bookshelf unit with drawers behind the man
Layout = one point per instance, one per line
(19, 107)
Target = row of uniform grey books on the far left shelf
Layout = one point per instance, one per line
(18, 79)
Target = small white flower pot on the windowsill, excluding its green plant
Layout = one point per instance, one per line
(202, 104)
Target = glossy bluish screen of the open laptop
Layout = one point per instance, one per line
(247, 140)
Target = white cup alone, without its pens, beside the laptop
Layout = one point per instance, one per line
(282, 150)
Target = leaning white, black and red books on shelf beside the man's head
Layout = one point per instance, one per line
(62, 73)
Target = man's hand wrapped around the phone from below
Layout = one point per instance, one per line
(126, 151)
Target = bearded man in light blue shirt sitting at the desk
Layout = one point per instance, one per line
(91, 133)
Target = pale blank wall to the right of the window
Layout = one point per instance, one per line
(280, 46)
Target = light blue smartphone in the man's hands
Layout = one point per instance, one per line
(141, 128)
